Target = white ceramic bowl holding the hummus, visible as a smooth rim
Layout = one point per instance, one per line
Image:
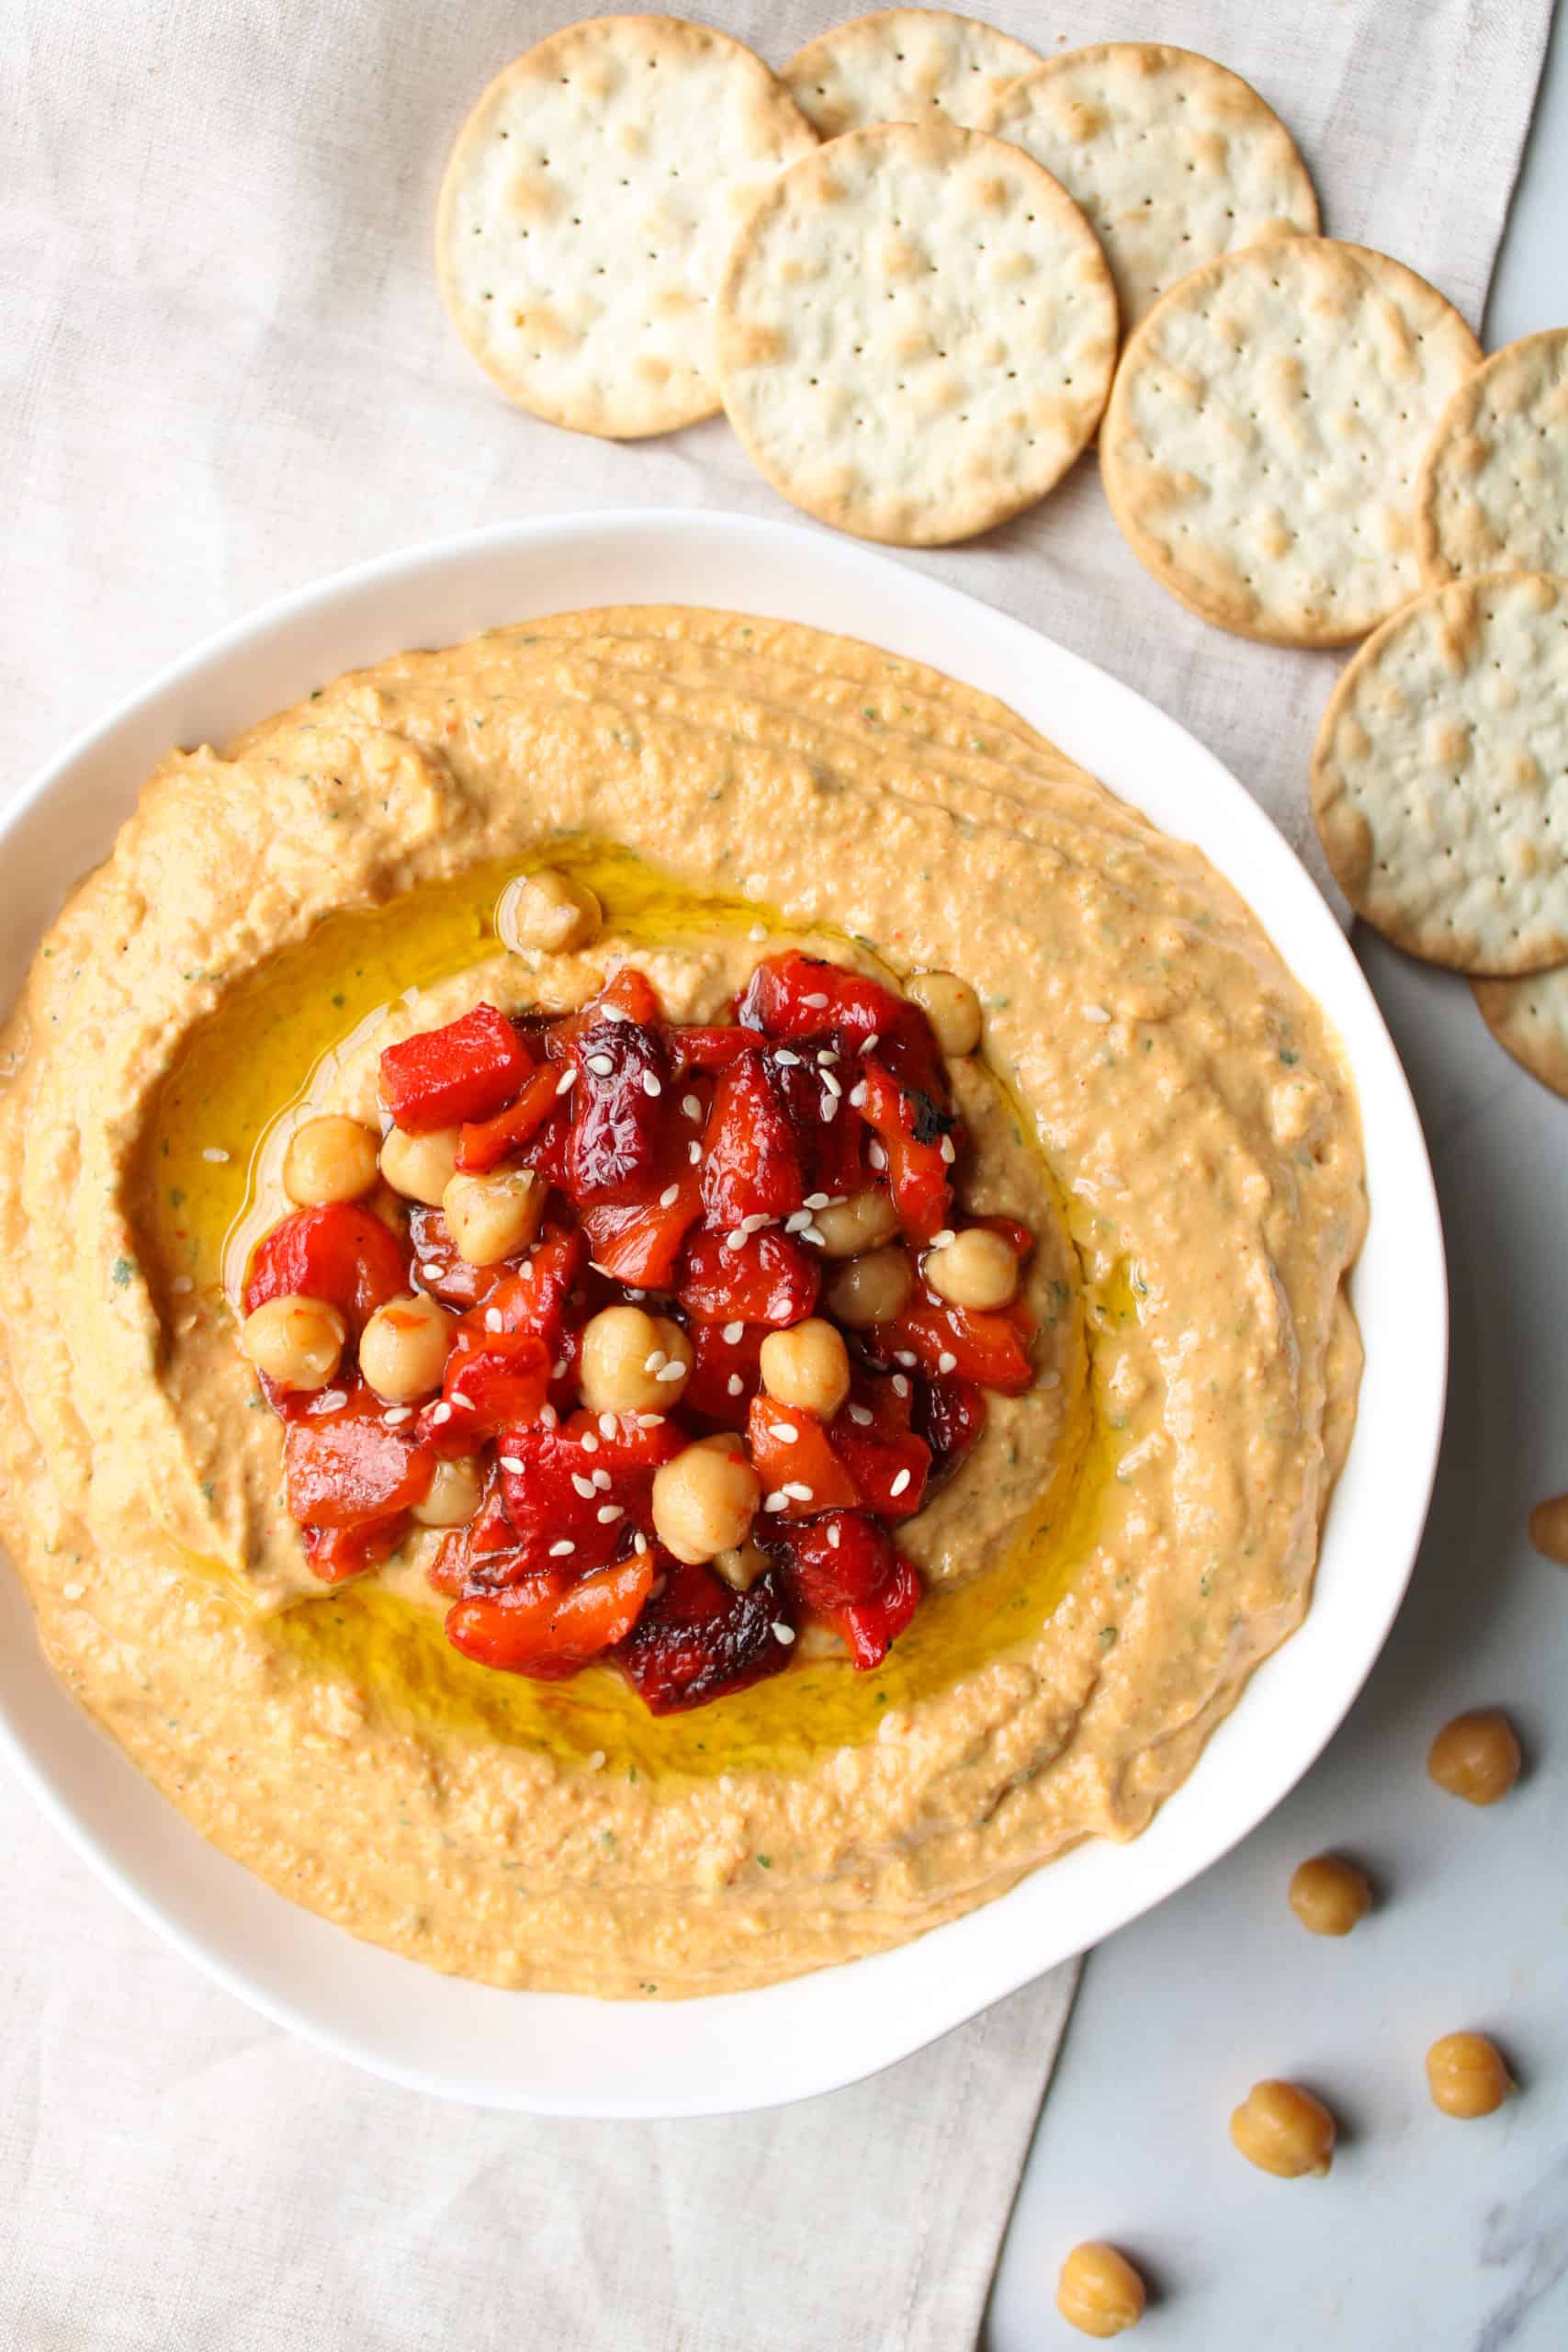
(558, 2054)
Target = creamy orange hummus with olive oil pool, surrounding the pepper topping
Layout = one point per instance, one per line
(1155, 1097)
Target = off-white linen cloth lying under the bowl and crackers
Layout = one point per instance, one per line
(225, 370)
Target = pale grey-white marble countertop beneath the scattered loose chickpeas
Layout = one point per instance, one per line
(1428, 2236)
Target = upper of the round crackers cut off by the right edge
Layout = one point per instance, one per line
(1494, 486)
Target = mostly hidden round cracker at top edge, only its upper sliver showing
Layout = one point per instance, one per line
(904, 65)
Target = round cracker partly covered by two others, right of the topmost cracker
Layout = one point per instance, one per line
(1172, 159)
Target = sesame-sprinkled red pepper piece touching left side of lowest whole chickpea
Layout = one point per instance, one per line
(587, 1485)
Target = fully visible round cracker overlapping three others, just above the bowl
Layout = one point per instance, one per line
(916, 333)
